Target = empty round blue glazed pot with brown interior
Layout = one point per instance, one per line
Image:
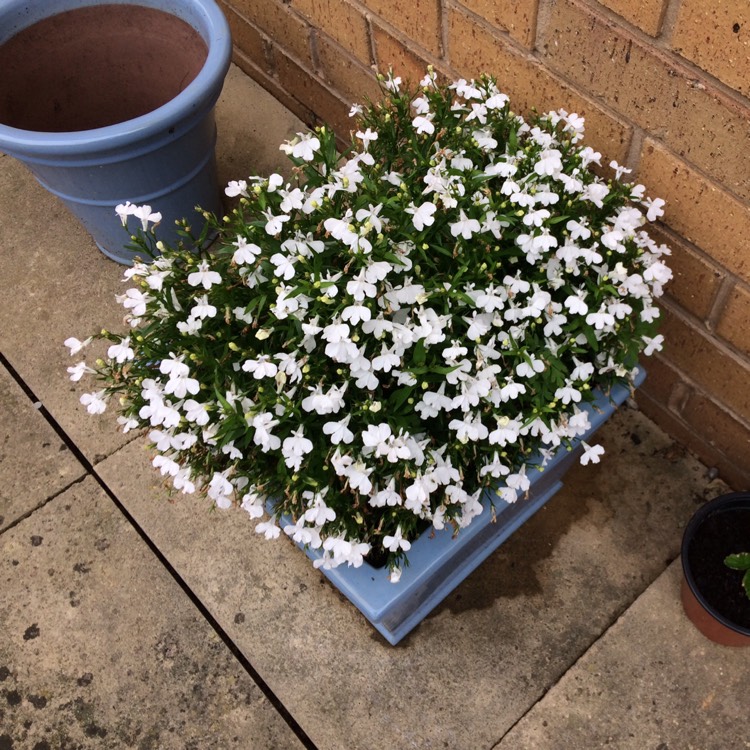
(163, 157)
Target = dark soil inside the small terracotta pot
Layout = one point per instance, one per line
(720, 534)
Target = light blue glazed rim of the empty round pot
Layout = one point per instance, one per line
(204, 16)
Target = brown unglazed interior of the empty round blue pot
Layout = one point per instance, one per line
(96, 66)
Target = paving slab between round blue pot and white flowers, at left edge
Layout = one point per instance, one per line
(55, 284)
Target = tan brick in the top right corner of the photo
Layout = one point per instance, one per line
(716, 36)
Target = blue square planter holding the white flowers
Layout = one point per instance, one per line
(439, 561)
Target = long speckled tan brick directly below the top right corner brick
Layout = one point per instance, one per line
(708, 128)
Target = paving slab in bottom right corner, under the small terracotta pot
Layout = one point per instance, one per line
(652, 681)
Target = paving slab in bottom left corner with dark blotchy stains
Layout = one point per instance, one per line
(102, 649)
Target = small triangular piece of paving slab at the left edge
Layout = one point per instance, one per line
(34, 463)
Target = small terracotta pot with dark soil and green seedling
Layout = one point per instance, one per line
(712, 623)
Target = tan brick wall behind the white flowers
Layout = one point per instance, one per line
(664, 87)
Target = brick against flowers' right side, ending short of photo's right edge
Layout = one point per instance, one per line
(696, 279)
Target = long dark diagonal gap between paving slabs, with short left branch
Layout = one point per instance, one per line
(90, 470)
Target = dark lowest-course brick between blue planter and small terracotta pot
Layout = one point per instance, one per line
(735, 473)
